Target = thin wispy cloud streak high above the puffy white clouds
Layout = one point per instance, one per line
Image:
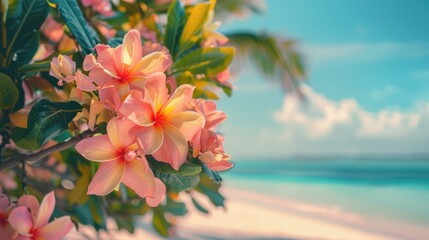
(364, 52)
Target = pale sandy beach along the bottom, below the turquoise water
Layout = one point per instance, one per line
(252, 215)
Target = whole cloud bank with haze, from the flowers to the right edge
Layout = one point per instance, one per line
(324, 126)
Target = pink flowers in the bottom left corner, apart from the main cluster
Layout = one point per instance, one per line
(26, 219)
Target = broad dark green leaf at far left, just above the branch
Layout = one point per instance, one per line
(46, 120)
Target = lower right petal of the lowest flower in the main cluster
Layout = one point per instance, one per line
(139, 177)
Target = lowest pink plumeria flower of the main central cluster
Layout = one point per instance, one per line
(120, 162)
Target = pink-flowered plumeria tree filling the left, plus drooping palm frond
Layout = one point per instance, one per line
(107, 109)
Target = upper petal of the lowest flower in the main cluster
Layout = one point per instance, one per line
(119, 133)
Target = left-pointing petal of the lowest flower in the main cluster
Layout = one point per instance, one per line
(98, 149)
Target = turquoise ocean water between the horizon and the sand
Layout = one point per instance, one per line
(389, 194)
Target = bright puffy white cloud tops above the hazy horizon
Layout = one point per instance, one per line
(322, 117)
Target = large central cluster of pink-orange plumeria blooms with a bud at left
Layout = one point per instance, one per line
(130, 82)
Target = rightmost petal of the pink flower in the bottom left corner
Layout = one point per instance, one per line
(56, 229)
